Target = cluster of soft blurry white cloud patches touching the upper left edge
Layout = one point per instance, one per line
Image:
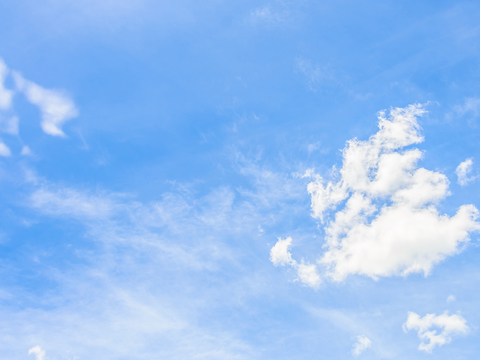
(55, 106)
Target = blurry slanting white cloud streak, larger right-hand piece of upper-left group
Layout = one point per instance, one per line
(55, 106)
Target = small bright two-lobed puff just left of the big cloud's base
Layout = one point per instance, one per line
(280, 255)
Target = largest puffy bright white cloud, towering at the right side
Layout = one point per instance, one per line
(389, 224)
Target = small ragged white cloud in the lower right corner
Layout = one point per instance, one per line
(448, 324)
